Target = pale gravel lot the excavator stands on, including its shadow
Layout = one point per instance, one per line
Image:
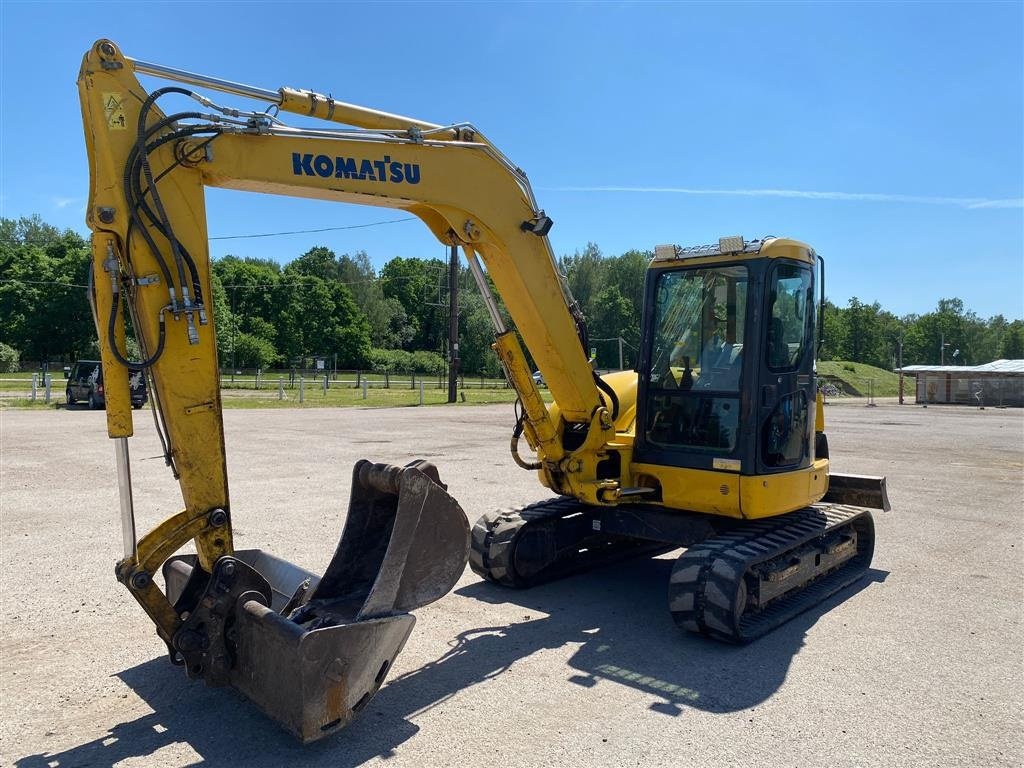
(920, 664)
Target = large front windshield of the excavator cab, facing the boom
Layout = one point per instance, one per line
(697, 359)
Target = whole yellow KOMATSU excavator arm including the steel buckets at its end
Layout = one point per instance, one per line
(244, 618)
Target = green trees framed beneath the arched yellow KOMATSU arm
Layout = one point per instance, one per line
(339, 308)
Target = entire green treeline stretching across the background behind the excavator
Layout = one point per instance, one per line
(396, 319)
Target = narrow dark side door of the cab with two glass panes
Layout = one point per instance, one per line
(787, 389)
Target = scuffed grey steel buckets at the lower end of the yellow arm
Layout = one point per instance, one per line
(313, 652)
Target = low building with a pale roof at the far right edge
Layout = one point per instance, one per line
(995, 385)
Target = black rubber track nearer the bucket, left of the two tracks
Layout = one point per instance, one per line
(496, 535)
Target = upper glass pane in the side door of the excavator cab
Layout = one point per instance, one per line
(789, 317)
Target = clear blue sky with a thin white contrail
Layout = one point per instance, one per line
(890, 137)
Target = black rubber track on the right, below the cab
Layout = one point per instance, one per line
(708, 584)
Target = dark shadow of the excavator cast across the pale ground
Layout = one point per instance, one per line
(617, 617)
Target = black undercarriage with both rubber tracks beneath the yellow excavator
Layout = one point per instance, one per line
(737, 580)
